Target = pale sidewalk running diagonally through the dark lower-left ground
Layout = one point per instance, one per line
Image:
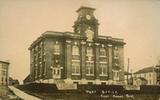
(22, 94)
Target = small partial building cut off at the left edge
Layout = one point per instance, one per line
(4, 72)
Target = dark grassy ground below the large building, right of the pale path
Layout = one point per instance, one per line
(40, 91)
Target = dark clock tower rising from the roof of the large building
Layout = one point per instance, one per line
(86, 24)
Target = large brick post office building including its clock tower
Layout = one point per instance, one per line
(81, 57)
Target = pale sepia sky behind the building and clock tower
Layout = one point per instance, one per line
(22, 21)
